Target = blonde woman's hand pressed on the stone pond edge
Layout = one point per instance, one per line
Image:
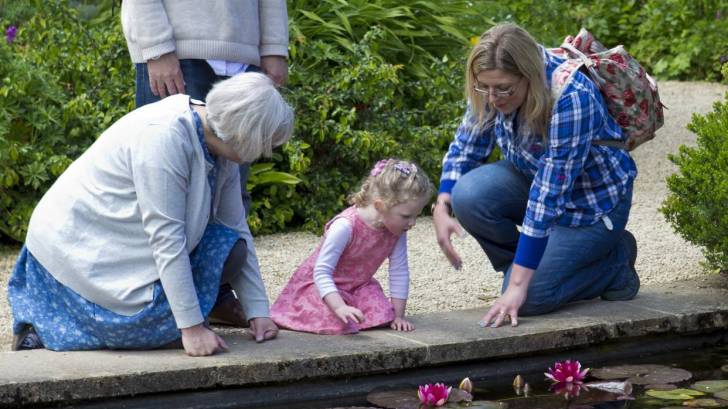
(508, 304)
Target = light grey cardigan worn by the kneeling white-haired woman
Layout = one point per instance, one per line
(130, 210)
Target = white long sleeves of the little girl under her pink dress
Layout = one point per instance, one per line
(336, 240)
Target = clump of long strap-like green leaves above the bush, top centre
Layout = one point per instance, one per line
(414, 33)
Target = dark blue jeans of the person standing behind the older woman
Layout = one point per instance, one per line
(199, 78)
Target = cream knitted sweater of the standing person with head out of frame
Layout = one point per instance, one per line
(231, 30)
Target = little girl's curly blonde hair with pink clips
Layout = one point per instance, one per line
(393, 181)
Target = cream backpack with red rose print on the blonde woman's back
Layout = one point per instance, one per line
(630, 93)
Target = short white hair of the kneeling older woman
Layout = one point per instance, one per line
(247, 112)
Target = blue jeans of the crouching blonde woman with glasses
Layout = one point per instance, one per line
(579, 263)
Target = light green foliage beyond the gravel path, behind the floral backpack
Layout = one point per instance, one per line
(673, 39)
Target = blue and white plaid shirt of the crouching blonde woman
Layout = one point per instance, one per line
(575, 183)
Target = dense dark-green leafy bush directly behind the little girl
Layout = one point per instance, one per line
(353, 108)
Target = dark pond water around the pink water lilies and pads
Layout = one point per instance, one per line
(699, 365)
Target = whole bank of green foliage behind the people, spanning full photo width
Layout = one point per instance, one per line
(368, 79)
